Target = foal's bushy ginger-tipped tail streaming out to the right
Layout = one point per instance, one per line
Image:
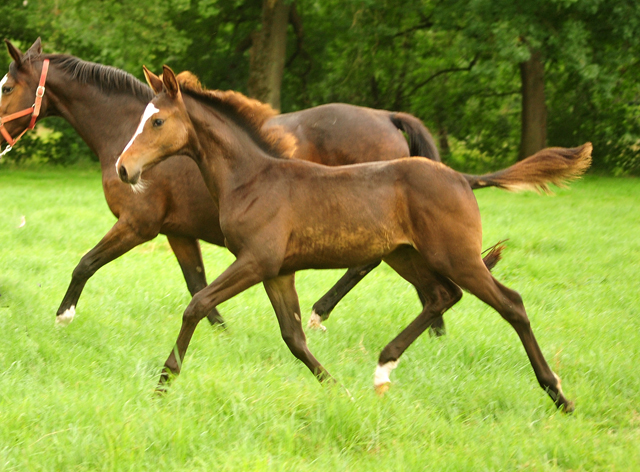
(551, 165)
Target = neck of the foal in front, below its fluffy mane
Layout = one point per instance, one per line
(227, 156)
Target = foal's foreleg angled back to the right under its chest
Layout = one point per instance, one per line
(283, 296)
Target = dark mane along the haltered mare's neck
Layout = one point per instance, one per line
(108, 79)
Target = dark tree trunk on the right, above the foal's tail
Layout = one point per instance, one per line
(534, 108)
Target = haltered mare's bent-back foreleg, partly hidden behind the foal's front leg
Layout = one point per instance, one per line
(187, 251)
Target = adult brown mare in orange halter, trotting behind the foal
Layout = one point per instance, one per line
(104, 104)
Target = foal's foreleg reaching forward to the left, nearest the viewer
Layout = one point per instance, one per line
(238, 277)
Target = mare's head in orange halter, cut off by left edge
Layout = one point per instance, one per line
(18, 87)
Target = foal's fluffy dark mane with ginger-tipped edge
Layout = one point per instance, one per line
(248, 113)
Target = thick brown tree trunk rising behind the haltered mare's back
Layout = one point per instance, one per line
(268, 53)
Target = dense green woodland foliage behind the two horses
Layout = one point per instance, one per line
(453, 64)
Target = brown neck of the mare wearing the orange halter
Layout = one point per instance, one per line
(104, 121)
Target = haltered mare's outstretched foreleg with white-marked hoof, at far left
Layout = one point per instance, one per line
(120, 239)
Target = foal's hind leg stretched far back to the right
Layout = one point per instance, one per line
(478, 281)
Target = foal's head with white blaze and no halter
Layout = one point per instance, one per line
(164, 130)
